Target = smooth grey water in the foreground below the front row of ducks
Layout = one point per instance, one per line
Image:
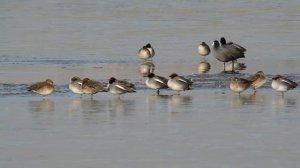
(209, 128)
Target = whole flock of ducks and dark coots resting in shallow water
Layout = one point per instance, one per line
(222, 51)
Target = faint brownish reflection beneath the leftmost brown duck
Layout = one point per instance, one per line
(44, 105)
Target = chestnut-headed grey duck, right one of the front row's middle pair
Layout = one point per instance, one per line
(179, 83)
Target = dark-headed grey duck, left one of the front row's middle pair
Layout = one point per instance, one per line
(156, 82)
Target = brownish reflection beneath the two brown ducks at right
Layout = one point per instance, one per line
(247, 99)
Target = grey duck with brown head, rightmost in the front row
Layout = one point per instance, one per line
(282, 84)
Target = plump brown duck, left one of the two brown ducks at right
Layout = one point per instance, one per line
(239, 85)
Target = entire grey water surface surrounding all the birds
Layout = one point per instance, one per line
(205, 127)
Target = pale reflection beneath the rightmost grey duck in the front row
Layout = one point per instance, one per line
(281, 102)
